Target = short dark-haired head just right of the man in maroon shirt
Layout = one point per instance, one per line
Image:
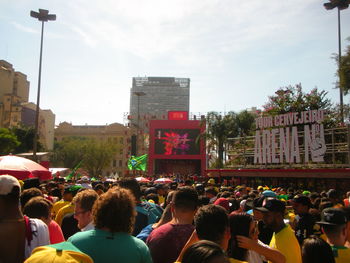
(211, 222)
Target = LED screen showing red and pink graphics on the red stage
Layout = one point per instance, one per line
(176, 141)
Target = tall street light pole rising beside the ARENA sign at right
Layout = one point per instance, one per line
(340, 4)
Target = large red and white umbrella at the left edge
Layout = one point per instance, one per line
(23, 168)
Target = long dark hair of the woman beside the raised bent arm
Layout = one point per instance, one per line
(239, 225)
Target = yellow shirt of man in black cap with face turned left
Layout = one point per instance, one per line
(286, 242)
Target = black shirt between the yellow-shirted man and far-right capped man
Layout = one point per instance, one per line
(304, 226)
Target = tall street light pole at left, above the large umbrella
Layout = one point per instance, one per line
(42, 16)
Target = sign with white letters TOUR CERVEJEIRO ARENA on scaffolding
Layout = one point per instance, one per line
(276, 138)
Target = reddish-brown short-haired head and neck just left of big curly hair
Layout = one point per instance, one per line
(84, 201)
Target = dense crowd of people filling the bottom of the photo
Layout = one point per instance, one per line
(188, 222)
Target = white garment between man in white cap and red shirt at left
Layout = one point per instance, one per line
(40, 234)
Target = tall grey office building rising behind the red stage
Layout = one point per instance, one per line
(152, 97)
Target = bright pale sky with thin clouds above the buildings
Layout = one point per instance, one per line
(236, 53)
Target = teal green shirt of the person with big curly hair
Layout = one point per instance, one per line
(105, 247)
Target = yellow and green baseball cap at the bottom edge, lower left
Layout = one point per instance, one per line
(58, 253)
